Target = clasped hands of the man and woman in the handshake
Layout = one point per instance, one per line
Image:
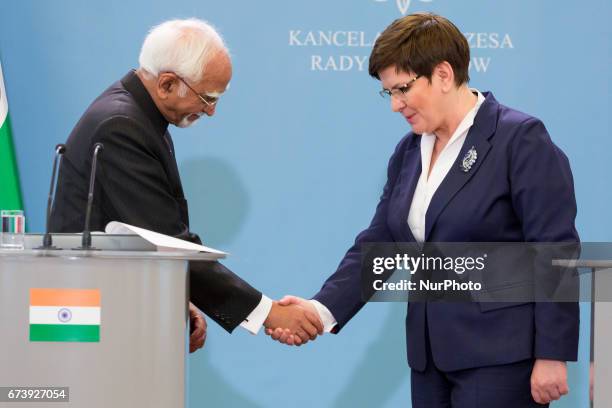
(297, 322)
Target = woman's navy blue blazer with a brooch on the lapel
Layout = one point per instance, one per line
(520, 189)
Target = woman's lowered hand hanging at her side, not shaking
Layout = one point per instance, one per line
(548, 380)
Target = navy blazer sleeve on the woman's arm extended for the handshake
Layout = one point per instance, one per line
(341, 292)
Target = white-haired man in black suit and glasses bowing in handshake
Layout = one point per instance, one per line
(184, 69)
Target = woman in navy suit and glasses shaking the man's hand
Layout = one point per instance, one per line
(471, 170)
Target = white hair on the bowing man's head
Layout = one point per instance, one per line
(180, 46)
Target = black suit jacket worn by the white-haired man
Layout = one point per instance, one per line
(138, 183)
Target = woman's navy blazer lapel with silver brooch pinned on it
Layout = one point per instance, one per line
(478, 138)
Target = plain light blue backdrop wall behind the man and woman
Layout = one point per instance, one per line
(291, 167)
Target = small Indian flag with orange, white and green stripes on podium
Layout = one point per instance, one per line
(65, 315)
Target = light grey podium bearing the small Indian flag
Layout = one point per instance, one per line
(120, 340)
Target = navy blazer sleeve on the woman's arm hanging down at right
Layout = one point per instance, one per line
(543, 198)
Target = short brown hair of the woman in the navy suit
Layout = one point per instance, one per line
(417, 43)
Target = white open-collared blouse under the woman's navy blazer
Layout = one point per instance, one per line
(427, 186)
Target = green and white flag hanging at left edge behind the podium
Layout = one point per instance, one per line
(10, 196)
